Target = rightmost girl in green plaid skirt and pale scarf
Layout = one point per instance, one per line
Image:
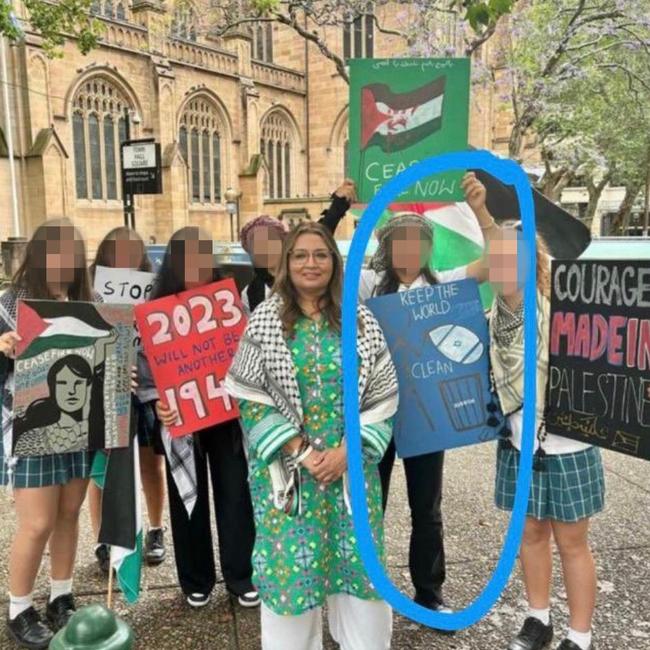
(568, 486)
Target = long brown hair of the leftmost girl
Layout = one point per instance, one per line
(32, 275)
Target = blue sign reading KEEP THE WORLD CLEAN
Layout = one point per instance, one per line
(438, 339)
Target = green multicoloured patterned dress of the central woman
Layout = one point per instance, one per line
(300, 560)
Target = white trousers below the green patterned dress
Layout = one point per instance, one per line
(355, 624)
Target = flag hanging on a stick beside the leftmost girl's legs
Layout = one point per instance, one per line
(117, 474)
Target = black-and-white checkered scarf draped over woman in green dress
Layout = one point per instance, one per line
(263, 371)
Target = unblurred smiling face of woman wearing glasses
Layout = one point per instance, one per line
(310, 265)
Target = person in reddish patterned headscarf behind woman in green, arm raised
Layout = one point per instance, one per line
(262, 239)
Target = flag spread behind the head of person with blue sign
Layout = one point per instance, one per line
(458, 239)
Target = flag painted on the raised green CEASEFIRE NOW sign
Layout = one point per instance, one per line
(395, 121)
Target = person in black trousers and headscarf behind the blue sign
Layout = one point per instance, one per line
(401, 263)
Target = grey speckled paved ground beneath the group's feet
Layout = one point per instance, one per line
(474, 530)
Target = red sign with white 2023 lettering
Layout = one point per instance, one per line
(190, 340)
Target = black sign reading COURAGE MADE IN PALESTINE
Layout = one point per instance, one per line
(598, 388)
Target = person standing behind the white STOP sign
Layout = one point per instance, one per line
(123, 248)
